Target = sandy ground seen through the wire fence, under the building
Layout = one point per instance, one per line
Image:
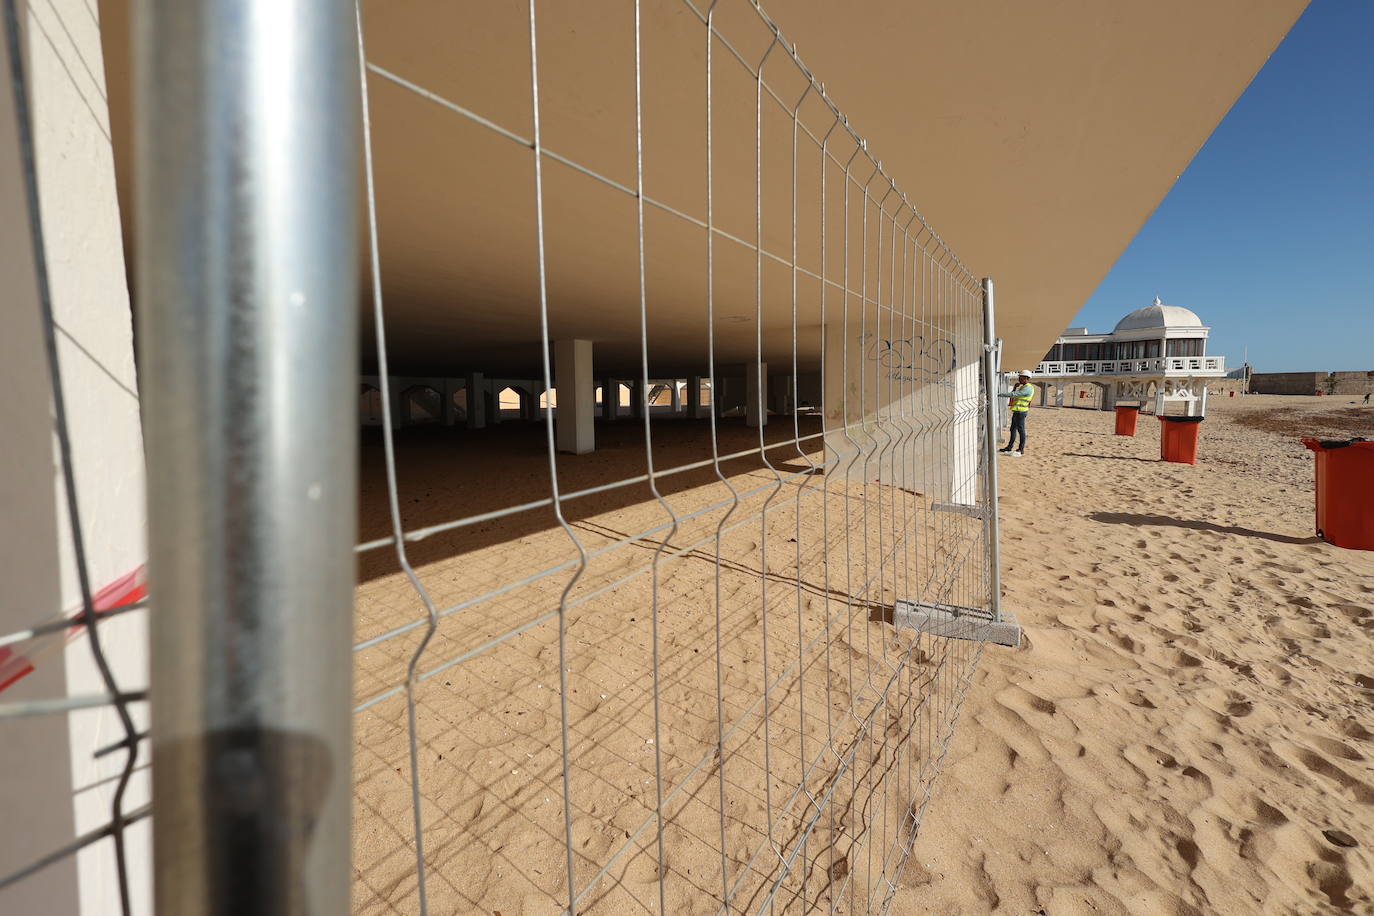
(847, 693)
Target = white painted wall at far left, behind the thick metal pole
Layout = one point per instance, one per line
(95, 348)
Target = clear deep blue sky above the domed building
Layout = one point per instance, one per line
(1270, 234)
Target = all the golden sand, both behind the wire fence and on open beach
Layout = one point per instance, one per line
(1188, 718)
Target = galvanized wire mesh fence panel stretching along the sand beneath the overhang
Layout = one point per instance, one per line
(671, 682)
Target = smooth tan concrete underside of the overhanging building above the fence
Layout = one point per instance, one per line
(1035, 138)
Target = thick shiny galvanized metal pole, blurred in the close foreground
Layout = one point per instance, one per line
(247, 279)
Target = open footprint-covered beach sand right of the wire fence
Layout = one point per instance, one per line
(1191, 724)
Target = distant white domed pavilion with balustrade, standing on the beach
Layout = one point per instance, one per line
(1158, 354)
